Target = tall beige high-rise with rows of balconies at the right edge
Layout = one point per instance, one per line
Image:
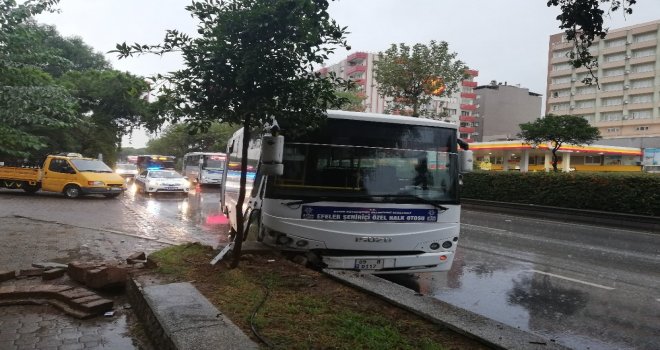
(627, 105)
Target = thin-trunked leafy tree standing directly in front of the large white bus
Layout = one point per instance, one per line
(253, 60)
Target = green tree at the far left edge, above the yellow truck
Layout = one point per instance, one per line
(29, 96)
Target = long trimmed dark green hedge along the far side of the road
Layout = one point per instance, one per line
(633, 193)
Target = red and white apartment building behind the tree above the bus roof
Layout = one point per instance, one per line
(457, 108)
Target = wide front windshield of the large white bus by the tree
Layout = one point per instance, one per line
(366, 174)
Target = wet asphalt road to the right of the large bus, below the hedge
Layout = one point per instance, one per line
(584, 286)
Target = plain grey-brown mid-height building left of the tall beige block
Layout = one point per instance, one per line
(502, 108)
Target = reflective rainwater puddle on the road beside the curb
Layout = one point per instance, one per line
(574, 315)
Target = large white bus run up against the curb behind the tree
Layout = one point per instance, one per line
(369, 192)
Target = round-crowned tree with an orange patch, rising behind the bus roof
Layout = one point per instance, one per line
(412, 75)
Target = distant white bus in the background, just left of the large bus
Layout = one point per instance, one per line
(204, 168)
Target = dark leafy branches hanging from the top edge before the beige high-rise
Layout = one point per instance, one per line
(582, 21)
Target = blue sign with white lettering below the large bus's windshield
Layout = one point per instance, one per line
(368, 214)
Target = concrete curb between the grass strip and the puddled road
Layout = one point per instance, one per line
(489, 332)
